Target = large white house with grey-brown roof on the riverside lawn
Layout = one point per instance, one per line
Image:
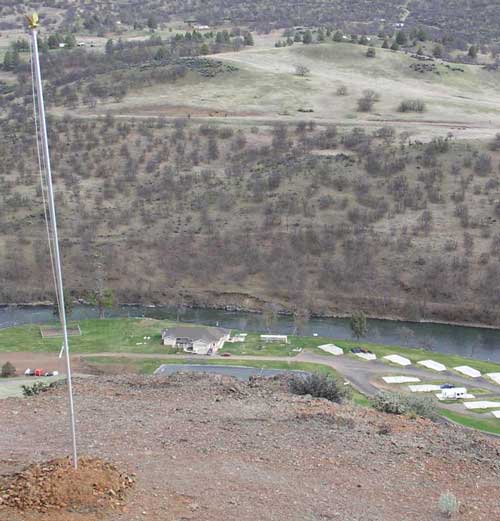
(201, 340)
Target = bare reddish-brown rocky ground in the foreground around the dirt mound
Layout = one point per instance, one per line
(211, 448)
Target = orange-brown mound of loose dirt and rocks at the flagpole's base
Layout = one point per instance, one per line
(95, 485)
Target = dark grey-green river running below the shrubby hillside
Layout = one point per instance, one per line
(472, 342)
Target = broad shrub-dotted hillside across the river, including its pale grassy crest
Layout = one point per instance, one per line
(201, 169)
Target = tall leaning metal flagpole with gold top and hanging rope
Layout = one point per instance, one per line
(33, 24)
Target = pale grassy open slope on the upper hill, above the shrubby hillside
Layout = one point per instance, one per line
(266, 87)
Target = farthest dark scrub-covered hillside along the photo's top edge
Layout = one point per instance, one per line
(460, 22)
